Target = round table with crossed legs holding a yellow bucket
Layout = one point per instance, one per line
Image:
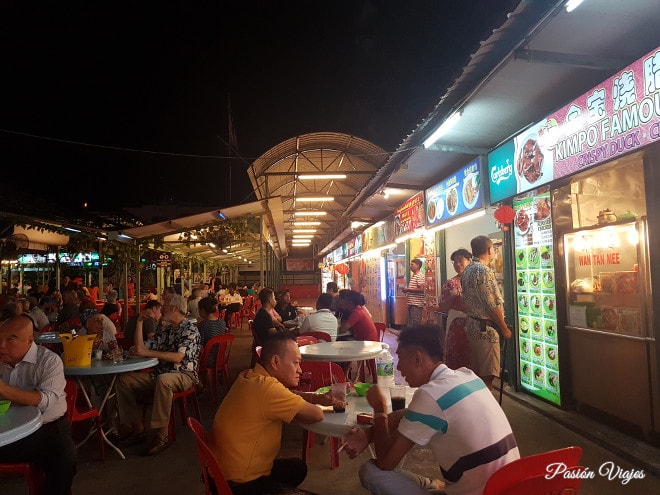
(109, 368)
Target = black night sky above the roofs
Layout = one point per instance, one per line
(157, 78)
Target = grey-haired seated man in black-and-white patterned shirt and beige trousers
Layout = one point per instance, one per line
(177, 346)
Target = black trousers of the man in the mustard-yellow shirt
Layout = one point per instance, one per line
(285, 476)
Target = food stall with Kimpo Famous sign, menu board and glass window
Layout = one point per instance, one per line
(579, 182)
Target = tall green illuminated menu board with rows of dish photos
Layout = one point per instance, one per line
(536, 296)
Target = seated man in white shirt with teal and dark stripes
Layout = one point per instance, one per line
(452, 411)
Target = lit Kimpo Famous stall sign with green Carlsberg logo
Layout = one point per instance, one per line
(616, 117)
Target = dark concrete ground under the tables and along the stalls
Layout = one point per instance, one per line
(537, 426)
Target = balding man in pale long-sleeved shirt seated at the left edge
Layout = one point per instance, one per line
(32, 375)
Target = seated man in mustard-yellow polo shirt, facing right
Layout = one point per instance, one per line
(247, 429)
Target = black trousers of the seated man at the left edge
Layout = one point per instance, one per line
(52, 449)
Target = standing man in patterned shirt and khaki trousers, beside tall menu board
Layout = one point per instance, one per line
(484, 306)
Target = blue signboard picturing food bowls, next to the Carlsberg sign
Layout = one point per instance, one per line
(455, 195)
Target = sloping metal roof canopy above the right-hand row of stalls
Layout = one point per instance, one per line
(540, 59)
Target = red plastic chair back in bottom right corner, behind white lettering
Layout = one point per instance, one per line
(527, 475)
